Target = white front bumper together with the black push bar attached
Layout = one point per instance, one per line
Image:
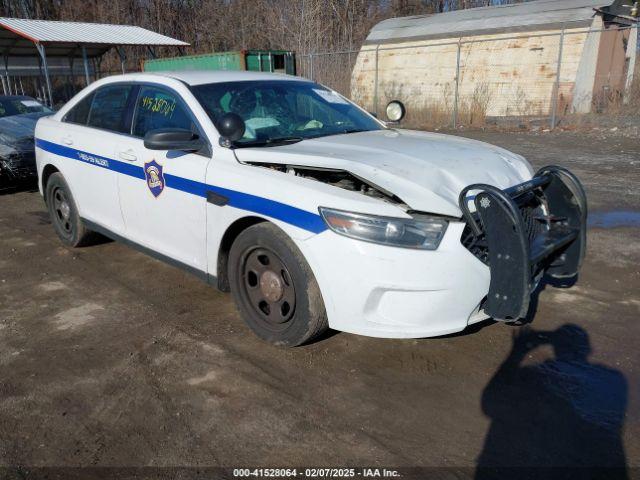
(486, 266)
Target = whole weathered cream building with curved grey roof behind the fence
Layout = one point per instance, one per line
(533, 58)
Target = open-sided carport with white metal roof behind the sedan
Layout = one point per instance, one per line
(42, 48)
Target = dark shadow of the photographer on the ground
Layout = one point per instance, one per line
(553, 419)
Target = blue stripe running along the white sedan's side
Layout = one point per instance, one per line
(294, 216)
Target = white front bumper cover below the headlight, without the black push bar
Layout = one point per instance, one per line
(389, 292)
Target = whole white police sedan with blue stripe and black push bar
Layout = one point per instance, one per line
(312, 212)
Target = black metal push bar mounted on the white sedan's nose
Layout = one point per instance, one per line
(518, 253)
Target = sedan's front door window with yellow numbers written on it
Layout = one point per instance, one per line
(159, 108)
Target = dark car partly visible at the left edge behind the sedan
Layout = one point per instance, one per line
(18, 117)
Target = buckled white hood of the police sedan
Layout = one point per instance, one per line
(427, 171)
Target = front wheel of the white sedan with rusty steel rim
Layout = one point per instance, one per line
(274, 288)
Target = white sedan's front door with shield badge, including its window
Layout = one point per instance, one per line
(161, 206)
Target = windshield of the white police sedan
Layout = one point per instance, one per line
(281, 111)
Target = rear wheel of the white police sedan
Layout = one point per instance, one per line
(64, 213)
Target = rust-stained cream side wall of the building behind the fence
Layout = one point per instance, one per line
(511, 76)
